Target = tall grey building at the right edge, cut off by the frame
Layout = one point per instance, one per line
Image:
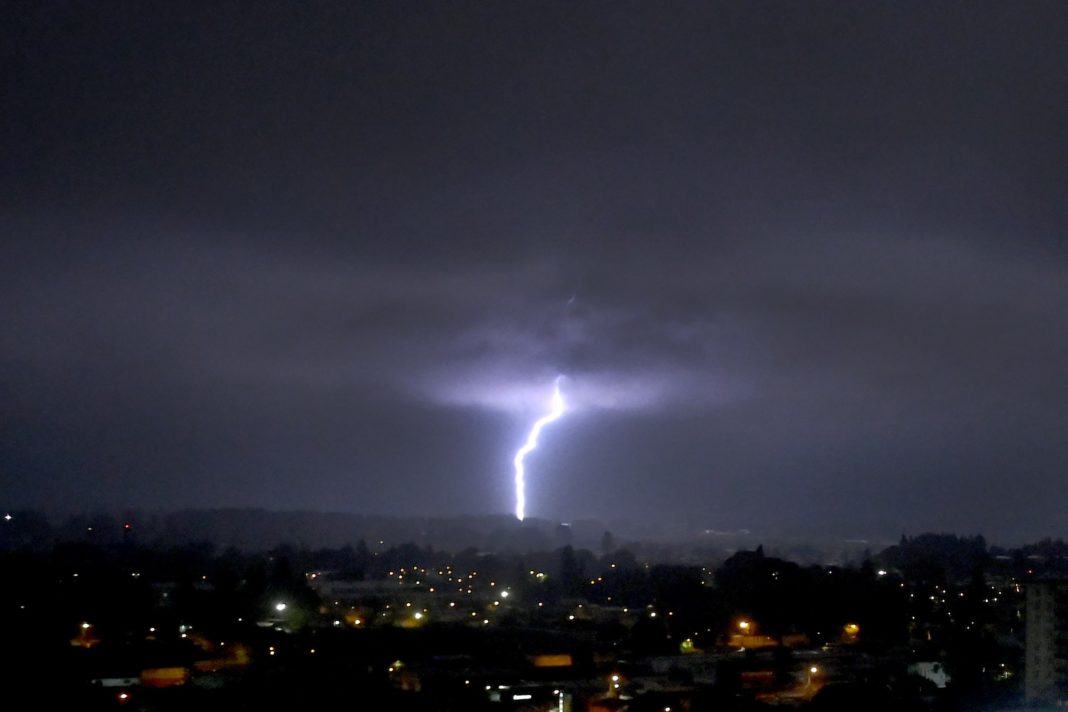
(1046, 660)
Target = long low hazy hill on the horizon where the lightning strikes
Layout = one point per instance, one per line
(260, 530)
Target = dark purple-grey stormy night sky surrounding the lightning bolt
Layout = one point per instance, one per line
(804, 265)
